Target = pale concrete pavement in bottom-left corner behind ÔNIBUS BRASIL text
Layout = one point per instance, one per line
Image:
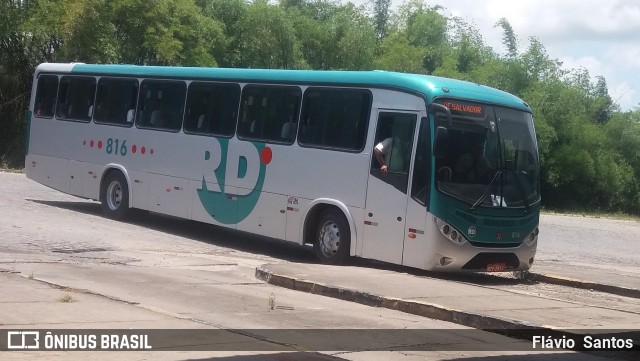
(29, 304)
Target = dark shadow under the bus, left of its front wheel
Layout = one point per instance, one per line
(199, 232)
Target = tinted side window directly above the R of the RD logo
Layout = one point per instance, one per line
(212, 108)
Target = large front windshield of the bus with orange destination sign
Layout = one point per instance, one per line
(490, 158)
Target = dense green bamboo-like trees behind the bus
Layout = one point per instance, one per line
(589, 149)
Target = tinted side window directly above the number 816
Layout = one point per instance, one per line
(116, 101)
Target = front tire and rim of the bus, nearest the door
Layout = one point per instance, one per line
(332, 238)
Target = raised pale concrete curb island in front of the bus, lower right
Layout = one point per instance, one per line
(466, 304)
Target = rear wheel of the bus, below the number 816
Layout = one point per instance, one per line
(114, 195)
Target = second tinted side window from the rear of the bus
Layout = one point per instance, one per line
(75, 98)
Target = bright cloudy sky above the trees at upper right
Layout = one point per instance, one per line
(600, 36)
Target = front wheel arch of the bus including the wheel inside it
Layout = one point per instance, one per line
(330, 230)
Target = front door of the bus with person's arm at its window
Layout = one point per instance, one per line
(386, 204)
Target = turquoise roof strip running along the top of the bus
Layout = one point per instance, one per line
(430, 86)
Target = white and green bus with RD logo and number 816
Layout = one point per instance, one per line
(415, 170)
